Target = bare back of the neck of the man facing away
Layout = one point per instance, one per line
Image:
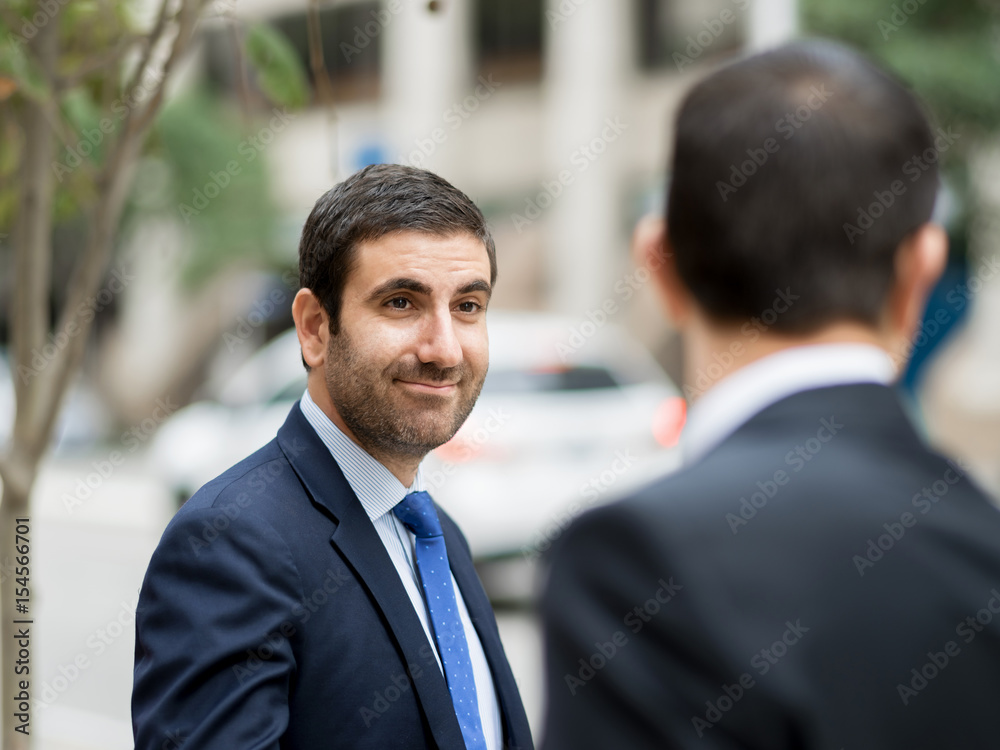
(713, 352)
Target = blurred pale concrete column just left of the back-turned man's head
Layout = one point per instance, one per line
(587, 58)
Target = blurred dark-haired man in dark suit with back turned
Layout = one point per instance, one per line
(815, 576)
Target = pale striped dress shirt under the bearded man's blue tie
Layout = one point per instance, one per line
(379, 491)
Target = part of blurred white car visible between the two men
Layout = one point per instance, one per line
(556, 430)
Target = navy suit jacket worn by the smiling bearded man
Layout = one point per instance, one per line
(272, 617)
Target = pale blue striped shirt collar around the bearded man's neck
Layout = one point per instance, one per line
(376, 487)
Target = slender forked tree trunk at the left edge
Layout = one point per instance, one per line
(41, 382)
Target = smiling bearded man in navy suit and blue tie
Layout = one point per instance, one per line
(313, 595)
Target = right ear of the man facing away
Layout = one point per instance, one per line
(919, 262)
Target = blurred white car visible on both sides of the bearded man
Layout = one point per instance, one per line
(565, 421)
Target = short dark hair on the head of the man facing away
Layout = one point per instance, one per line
(797, 175)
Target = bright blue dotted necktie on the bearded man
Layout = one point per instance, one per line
(417, 513)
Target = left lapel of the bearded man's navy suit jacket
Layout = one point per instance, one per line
(359, 544)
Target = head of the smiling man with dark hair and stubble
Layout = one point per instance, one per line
(397, 268)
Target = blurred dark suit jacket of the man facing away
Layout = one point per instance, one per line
(819, 580)
